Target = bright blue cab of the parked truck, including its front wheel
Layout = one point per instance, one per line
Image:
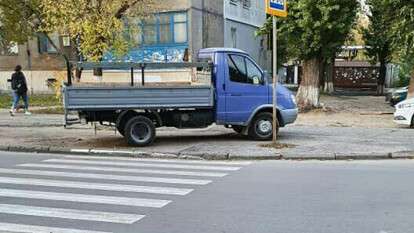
(244, 93)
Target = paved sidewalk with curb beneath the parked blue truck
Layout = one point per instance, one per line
(45, 133)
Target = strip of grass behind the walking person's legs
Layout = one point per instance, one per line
(34, 101)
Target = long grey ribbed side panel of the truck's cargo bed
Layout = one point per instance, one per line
(83, 98)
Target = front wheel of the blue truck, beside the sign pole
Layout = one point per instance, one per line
(261, 128)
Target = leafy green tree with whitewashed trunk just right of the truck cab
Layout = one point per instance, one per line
(314, 31)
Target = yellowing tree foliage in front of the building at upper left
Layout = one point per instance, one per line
(95, 25)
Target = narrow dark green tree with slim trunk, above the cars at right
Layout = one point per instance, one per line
(379, 37)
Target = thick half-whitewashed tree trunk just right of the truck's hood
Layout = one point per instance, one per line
(308, 93)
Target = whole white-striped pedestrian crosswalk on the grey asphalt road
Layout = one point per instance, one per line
(88, 189)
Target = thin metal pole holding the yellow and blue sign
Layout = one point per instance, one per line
(275, 79)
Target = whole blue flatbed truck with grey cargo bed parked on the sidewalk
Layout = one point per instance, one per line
(238, 96)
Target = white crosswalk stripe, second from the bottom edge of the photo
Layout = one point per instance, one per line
(70, 214)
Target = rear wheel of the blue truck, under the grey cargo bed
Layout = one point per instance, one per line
(140, 131)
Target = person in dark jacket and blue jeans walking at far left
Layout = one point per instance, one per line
(19, 90)
